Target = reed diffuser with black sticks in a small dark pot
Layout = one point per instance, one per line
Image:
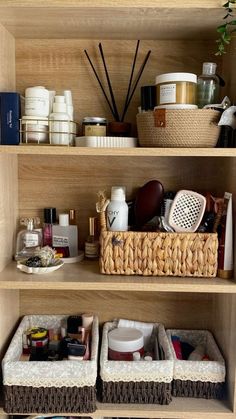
(118, 127)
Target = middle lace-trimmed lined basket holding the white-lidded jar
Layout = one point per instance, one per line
(136, 382)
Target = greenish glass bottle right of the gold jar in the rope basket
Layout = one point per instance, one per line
(208, 85)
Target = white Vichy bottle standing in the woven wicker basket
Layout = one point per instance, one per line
(117, 210)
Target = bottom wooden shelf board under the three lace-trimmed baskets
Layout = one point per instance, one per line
(179, 408)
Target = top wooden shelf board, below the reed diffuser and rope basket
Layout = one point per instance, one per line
(129, 152)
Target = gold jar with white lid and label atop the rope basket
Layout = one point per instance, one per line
(176, 91)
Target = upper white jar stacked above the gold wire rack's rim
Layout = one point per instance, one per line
(37, 101)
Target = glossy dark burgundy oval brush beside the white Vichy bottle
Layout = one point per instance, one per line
(148, 202)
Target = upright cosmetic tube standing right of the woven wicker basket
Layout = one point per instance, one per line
(225, 251)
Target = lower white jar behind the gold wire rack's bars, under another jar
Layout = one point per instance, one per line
(34, 129)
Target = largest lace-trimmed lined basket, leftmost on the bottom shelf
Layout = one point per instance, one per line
(48, 387)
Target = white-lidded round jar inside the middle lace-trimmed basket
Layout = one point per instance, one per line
(123, 342)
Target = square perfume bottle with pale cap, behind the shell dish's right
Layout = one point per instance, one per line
(65, 237)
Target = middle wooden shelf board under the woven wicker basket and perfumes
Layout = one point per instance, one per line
(85, 276)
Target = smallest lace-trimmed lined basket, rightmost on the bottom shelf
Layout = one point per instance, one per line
(203, 379)
